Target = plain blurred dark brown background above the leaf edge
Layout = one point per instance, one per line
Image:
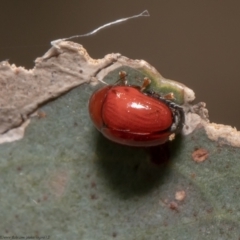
(193, 42)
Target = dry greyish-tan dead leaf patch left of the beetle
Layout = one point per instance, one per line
(59, 70)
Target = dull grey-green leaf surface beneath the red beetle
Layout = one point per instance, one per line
(66, 181)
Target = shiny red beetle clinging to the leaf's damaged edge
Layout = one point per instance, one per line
(127, 115)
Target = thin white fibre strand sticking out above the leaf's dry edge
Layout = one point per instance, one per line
(143, 14)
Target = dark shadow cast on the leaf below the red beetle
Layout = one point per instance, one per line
(132, 171)
